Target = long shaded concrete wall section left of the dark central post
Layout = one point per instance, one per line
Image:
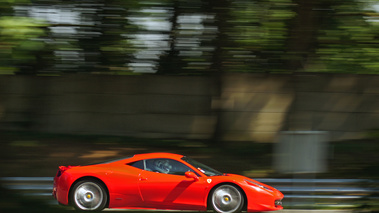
(145, 106)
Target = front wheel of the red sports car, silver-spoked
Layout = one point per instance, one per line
(227, 199)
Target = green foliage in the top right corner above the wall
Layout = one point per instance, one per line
(348, 43)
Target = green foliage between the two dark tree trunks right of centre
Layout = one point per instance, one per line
(260, 31)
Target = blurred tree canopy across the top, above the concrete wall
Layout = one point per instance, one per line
(188, 37)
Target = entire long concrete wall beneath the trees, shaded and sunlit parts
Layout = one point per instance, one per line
(254, 106)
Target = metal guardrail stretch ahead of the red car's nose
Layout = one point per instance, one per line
(334, 193)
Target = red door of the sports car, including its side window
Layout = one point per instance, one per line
(163, 185)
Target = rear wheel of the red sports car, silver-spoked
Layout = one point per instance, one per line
(89, 195)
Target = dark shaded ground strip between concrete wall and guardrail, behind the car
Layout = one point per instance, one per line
(30, 154)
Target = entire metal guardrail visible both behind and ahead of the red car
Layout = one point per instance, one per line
(298, 192)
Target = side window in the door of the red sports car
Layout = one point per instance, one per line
(166, 166)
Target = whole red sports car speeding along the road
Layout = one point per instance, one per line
(161, 181)
